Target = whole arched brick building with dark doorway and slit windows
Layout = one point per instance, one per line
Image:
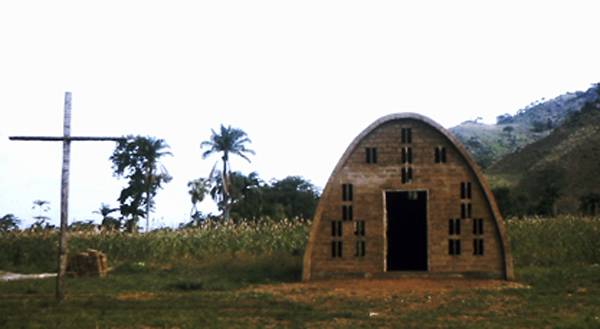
(406, 197)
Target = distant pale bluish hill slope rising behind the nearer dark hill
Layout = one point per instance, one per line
(489, 143)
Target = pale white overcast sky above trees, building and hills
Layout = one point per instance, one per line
(301, 78)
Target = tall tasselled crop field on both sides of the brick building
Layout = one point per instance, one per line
(535, 242)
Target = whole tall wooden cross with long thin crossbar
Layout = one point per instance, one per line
(66, 138)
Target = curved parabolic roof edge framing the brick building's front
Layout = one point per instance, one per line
(504, 243)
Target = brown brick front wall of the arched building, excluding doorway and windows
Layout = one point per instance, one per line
(370, 181)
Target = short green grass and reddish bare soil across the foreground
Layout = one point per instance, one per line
(171, 297)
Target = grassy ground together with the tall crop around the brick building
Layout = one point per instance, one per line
(231, 276)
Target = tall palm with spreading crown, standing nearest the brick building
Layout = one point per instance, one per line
(228, 141)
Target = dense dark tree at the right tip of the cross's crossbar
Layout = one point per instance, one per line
(137, 159)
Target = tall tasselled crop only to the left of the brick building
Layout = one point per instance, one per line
(26, 251)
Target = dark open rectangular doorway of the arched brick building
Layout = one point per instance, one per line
(406, 231)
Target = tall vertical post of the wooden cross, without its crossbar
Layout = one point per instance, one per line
(64, 201)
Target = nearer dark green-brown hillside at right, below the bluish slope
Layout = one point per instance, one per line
(558, 173)
